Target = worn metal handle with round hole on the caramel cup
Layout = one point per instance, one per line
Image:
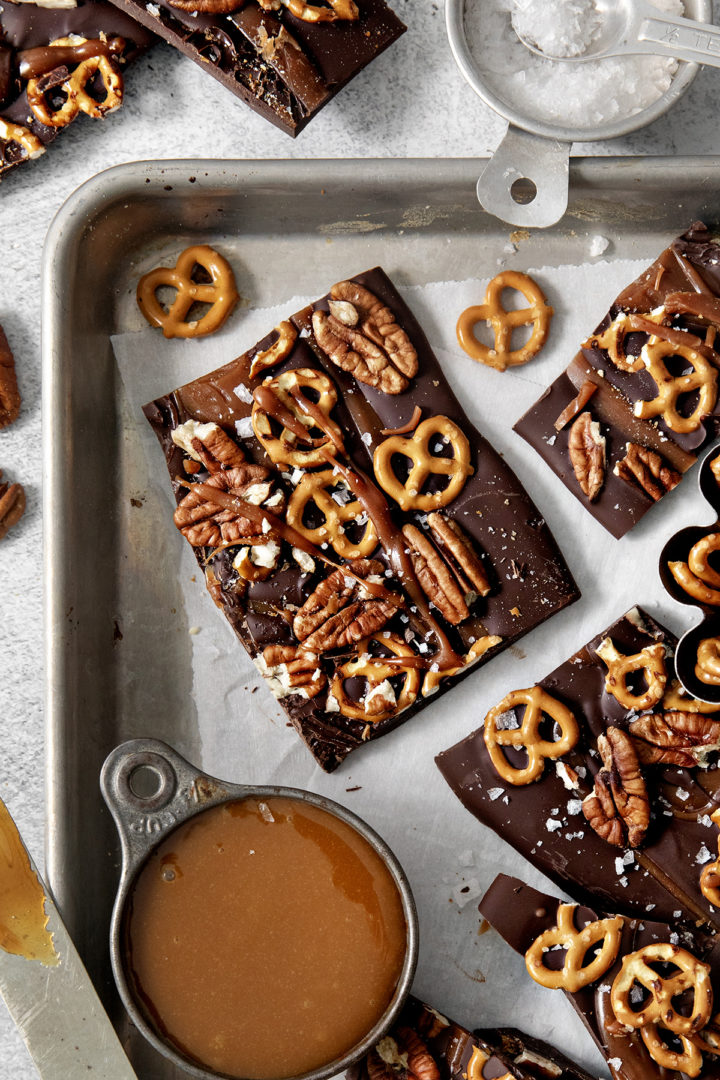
(174, 788)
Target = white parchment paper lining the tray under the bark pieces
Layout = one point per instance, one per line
(393, 784)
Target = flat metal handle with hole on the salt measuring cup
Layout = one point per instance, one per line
(524, 163)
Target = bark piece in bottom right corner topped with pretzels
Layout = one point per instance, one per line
(647, 992)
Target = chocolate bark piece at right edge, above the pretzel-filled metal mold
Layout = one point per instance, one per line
(688, 266)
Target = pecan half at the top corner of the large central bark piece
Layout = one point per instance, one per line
(362, 336)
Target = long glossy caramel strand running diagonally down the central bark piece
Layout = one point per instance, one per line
(374, 504)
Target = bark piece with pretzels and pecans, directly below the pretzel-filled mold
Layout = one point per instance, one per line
(604, 776)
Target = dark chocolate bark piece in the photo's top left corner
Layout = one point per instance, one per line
(25, 28)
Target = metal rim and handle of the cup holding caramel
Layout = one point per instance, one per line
(178, 792)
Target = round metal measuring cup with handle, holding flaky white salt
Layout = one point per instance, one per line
(526, 181)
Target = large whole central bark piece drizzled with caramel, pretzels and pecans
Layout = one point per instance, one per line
(366, 544)
